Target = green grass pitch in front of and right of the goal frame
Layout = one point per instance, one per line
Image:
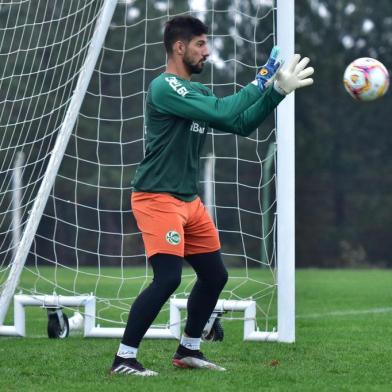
(343, 343)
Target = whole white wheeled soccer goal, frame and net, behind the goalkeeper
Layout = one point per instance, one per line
(79, 101)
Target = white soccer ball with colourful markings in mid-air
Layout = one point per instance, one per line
(366, 79)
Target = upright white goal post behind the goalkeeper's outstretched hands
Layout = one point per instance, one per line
(286, 185)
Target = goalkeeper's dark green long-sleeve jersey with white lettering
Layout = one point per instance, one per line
(178, 115)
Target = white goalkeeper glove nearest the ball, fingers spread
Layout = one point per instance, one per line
(294, 76)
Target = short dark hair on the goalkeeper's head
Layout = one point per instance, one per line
(182, 28)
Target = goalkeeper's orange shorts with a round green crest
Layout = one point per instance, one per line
(173, 226)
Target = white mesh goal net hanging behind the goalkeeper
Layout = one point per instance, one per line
(73, 81)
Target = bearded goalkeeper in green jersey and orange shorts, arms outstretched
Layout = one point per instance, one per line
(173, 221)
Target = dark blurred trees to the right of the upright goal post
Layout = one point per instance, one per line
(343, 205)
